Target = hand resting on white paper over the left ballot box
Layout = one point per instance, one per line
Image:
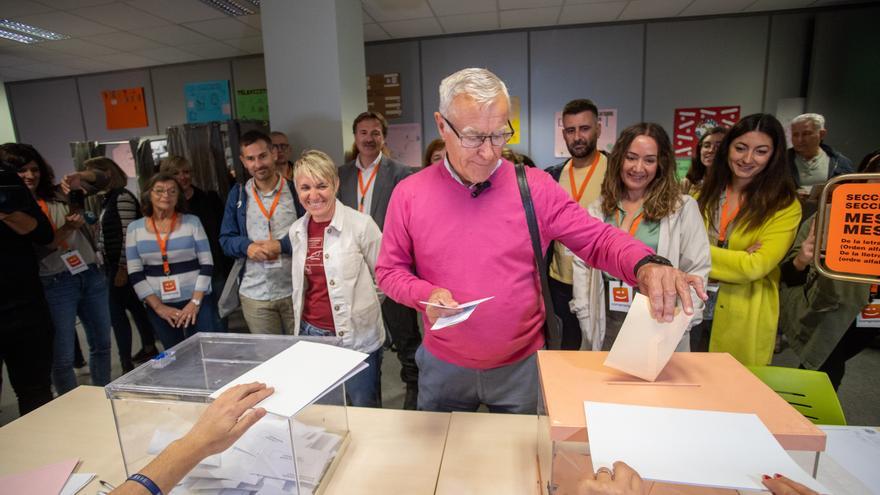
(227, 418)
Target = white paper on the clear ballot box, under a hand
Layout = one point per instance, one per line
(324, 365)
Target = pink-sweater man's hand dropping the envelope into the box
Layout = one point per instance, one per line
(664, 284)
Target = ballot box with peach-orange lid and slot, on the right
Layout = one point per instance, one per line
(691, 380)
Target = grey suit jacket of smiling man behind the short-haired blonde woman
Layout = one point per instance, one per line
(389, 174)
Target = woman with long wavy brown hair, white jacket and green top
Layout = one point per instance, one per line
(639, 183)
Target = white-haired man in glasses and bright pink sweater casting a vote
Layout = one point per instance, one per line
(458, 232)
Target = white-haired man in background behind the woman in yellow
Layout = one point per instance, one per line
(813, 162)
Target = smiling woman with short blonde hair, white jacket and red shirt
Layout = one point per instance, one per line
(334, 251)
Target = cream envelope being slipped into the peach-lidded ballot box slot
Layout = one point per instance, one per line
(644, 345)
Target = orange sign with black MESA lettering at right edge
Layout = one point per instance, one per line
(854, 230)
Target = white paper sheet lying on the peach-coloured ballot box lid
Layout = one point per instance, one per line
(693, 447)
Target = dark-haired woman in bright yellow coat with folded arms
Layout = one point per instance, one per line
(751, 211)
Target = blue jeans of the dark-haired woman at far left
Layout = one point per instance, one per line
(83, 295)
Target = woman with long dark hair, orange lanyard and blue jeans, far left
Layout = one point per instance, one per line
(72, 282)
